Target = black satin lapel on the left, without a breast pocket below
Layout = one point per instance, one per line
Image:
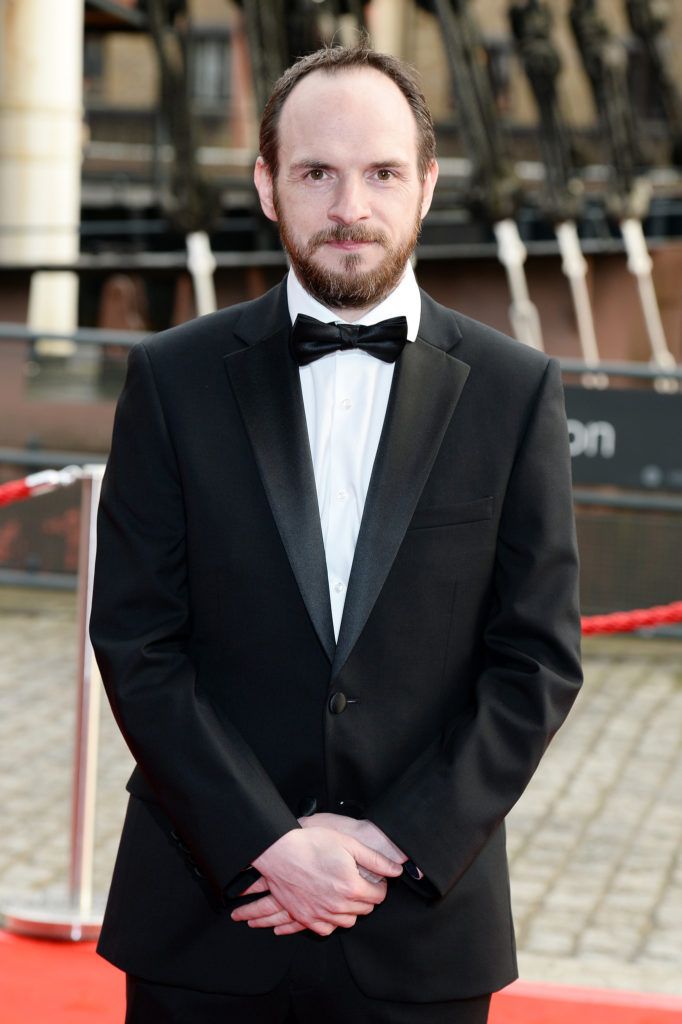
(267, 386)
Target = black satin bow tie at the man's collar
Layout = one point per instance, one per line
(311, 339)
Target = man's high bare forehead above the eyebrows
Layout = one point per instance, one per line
(358, 111)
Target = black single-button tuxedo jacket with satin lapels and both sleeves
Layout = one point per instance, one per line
(458, 655)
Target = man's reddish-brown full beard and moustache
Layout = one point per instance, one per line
(351, 287)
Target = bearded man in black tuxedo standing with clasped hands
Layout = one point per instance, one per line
(335, 605)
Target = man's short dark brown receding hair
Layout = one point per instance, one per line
(335, 59)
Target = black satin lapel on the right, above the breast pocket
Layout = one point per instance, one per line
(427, 389)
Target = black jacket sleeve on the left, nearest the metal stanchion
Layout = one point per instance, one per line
(200, 771)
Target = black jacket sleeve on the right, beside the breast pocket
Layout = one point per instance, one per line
(449, 802)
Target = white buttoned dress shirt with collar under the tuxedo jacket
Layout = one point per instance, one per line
(346, 396)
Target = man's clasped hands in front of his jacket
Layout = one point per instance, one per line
(322, 877)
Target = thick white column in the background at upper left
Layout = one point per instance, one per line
(41, 82)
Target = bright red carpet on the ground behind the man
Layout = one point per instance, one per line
(45, 983)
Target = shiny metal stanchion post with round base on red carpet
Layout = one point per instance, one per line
(75, 919)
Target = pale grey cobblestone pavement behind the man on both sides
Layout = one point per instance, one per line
(595, 843)
